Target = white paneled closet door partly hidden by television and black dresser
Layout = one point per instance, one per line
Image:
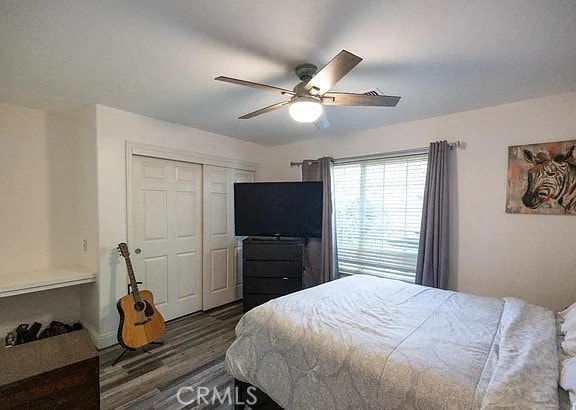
(222, 265)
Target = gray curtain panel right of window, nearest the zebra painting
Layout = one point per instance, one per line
(432, 266)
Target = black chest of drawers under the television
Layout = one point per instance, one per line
(271, 268)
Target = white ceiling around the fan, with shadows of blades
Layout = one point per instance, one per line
(159, 58)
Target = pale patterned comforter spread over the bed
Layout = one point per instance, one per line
(370, 343)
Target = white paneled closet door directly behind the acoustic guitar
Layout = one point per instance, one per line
(166, 234)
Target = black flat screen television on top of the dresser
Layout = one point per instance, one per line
(281, 209)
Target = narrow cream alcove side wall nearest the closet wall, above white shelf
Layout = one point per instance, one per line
(71, 155)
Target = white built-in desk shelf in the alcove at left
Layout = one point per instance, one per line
(18, 283)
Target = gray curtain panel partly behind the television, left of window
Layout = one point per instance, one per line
(321, 255)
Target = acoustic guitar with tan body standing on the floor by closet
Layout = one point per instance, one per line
(140, 321)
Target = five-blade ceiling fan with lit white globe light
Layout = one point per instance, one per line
(307, 97)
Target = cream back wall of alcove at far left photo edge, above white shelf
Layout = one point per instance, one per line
(24, 216)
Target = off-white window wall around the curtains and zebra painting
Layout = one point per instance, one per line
(493, 253)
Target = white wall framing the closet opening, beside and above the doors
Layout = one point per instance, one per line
(114, 127)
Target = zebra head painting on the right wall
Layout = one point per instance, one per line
(542, 179)
